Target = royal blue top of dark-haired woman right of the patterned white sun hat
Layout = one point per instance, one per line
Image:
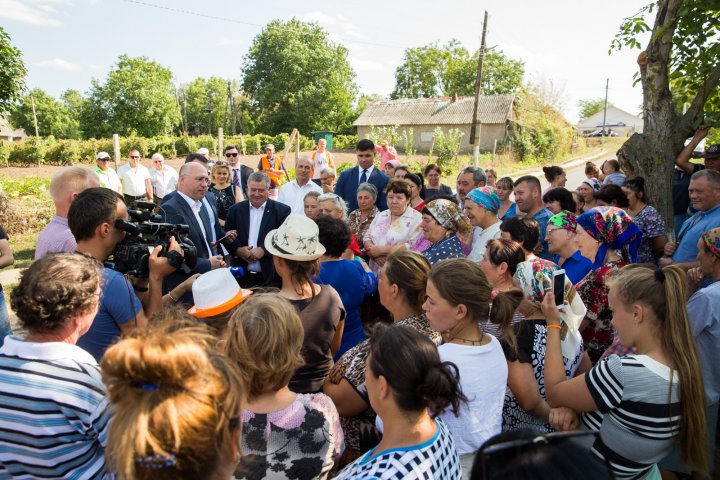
(353, 284)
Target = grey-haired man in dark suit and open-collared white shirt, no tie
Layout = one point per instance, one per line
(253, 219)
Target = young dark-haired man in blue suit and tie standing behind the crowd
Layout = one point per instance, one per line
(346, 186)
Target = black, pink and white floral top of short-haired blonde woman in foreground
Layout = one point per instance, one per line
(300, 441)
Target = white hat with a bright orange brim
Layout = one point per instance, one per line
(216, 292)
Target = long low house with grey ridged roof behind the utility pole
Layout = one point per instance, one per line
(423, 115)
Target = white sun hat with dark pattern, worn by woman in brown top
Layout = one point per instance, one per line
(296, 239)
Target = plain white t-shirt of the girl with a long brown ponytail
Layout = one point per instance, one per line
(483, 378)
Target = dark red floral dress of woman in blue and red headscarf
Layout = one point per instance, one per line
(598, 335)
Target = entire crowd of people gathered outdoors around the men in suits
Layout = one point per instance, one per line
(368, 323)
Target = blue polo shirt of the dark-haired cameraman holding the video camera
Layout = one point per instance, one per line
(118, 305)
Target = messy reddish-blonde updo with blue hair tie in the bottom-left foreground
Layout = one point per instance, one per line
(176, 406)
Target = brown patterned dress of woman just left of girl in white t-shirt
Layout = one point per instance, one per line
(360, 432)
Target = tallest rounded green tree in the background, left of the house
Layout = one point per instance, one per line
(297, 78)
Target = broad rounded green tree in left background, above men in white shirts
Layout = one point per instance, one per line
(137, 98)
